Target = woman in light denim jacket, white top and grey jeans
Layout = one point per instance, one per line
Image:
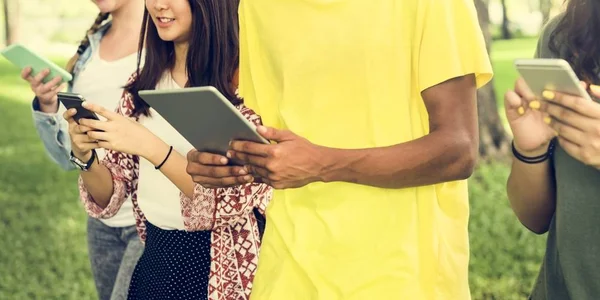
(113, 244)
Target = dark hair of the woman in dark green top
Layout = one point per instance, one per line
(577, 38)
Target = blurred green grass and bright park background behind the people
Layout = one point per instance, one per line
(43, 252)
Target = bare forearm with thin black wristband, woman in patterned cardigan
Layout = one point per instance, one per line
(174, 167)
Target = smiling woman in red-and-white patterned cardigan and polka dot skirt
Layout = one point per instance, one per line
(201, 243)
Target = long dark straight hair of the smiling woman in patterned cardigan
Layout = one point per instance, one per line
(213, 53)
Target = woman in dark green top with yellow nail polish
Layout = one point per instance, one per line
(553, 186)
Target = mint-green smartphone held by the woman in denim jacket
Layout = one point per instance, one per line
(22, 57)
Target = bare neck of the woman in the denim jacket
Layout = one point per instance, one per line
(128, 18)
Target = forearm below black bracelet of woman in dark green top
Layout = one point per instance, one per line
(531, 193)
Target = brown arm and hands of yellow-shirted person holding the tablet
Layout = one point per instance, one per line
(448, 153)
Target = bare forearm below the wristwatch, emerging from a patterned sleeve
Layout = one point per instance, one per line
(99, 183)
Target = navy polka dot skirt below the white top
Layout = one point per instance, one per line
(175, 265)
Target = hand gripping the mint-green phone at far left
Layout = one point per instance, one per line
(46, 93)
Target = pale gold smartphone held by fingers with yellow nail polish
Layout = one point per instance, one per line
(555, 75)
